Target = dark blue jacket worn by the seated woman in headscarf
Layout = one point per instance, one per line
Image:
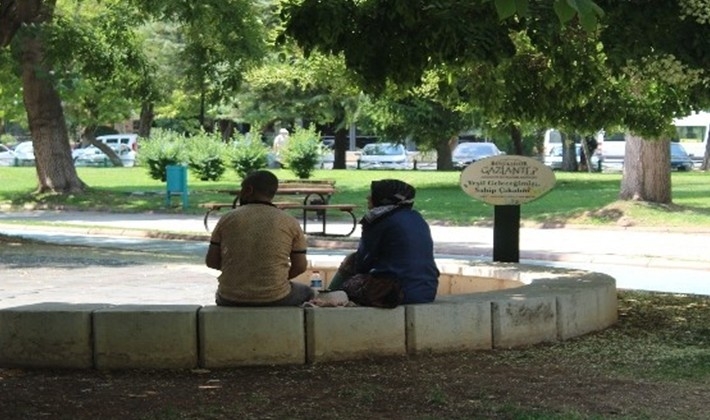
(399, 245)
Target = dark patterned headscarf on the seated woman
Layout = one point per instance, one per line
(387, 196)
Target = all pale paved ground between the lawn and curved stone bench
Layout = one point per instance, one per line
(649, 260)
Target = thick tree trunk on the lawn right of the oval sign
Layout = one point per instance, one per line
(647, 174)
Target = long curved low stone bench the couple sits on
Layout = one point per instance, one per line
(479, 306)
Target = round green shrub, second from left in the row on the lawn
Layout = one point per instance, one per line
(205, 153)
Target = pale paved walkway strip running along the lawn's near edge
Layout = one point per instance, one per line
(648, 248)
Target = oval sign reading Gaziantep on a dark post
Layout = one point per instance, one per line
(507, 181)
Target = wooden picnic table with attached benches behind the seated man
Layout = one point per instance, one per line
(316, 199)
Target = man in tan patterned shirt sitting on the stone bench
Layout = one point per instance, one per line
(259, 248)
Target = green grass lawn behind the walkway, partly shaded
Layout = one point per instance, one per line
(577, 198)
